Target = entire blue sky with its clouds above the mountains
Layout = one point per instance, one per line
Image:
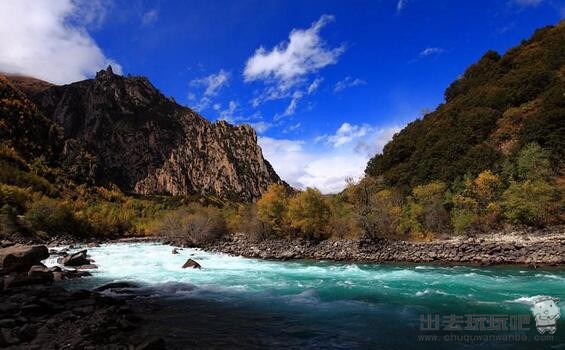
(325, 83)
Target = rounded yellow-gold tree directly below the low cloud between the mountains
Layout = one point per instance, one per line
(310, 213)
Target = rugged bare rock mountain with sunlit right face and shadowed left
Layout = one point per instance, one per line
(146, 143)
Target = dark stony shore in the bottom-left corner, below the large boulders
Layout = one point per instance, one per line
(49, 317)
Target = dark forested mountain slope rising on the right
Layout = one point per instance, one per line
(499, 105)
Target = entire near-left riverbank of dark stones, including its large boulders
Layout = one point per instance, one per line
(37, 313)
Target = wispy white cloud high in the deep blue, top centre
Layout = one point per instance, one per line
(304, 53)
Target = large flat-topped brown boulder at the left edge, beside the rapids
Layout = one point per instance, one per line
(19, 258)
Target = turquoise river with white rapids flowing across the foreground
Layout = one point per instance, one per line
(235, 302)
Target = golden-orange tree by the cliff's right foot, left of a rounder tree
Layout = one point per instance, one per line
(272, 207)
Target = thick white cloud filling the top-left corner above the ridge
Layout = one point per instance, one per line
(49, 39)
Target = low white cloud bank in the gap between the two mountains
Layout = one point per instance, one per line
(326, 166)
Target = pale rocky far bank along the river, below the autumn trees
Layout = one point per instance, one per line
(526, 246)
